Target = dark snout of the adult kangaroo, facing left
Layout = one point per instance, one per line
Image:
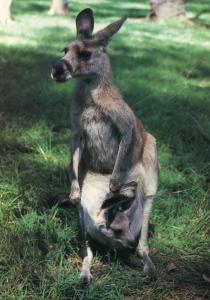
(61, 71)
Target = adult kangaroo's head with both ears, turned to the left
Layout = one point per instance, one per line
(85, 56)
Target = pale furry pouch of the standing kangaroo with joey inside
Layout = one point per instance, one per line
(117, 226)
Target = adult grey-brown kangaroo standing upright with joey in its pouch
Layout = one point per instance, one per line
(114, 167)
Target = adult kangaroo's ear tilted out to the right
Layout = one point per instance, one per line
(103, 36)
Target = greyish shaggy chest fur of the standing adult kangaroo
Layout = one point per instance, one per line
(101, 139)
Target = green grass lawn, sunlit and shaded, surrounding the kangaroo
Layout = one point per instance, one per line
(163, 71)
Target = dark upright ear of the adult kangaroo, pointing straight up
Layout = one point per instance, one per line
(85, 23)
